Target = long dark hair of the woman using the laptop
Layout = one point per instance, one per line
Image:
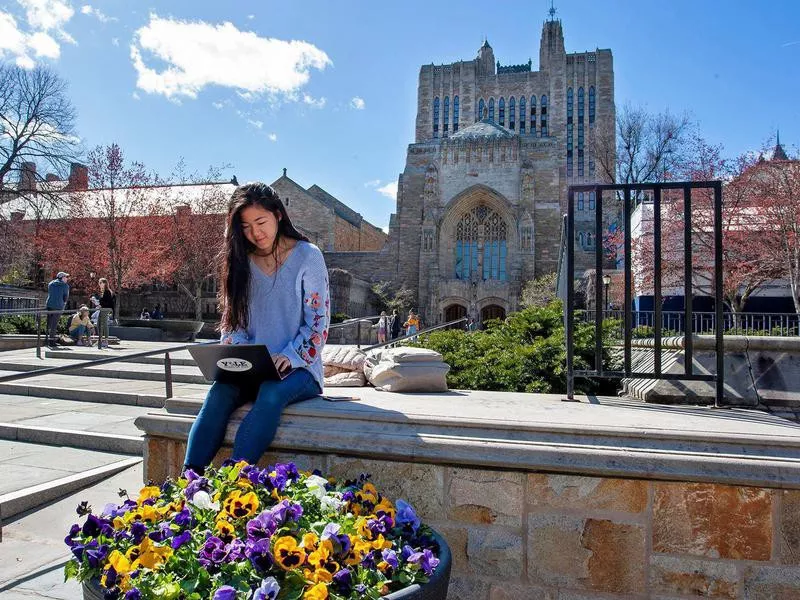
(234, 260)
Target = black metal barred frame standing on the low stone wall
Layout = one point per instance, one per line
(656, 189)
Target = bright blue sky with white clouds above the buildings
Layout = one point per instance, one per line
(327, 89)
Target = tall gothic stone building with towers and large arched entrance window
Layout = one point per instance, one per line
(481, 199)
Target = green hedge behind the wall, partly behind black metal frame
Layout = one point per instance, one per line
(524, 353)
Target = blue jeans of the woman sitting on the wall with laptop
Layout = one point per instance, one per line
(257, 429)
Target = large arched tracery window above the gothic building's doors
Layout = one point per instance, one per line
(481, 222)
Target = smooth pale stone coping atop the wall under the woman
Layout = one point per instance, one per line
(531, 432)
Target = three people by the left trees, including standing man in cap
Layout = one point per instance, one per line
(85, 322)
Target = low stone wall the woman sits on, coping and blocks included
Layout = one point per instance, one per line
(541, 499)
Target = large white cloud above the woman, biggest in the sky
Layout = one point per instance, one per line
(200, 54)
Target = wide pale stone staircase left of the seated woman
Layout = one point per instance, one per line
(77, 428)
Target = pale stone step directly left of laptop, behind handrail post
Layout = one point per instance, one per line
(121, 370)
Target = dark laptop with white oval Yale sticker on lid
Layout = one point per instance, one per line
(236, 363)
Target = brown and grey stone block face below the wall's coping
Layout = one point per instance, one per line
(521, 535)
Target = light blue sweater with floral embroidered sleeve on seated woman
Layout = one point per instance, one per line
(289, 311)
